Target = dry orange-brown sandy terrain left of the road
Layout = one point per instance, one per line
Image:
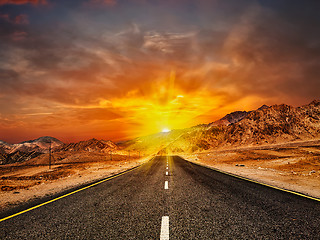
(23, 182)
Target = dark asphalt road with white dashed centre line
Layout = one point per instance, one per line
(199, 203)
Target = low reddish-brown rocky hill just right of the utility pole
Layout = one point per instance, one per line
(92, 145)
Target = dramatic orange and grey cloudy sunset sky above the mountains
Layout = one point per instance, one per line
(119, 69)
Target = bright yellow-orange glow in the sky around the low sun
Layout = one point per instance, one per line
(163, 104)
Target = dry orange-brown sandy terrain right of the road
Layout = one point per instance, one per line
(290, 166)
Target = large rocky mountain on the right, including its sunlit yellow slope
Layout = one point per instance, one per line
(266, 125)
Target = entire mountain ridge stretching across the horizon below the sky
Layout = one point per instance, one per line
(265, 125)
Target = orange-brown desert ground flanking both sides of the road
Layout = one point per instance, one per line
(293, 166)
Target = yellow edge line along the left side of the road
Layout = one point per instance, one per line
(68, 194)
